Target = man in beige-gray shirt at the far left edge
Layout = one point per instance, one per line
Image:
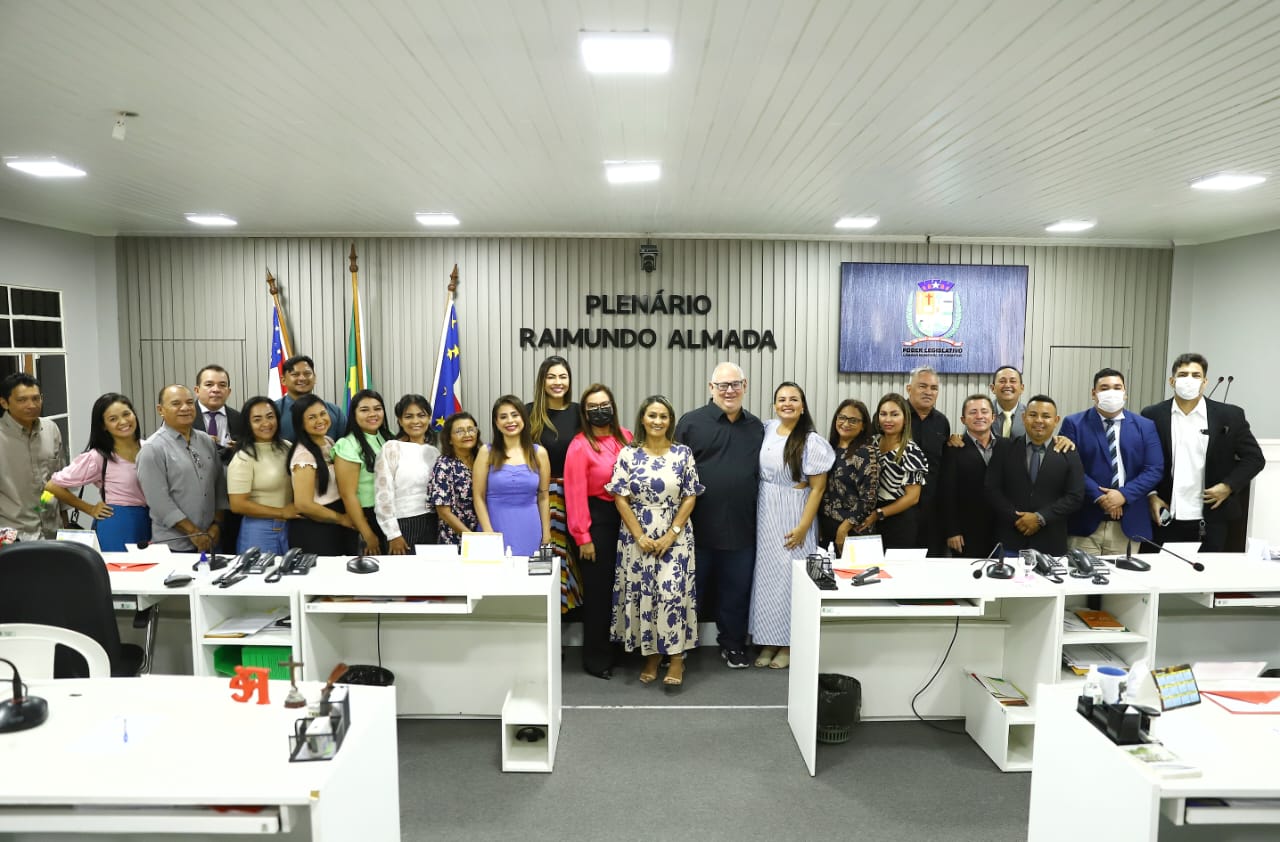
(31, 451)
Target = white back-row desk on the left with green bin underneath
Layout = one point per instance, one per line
(486, 644)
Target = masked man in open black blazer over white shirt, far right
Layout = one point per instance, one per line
(1210, 455)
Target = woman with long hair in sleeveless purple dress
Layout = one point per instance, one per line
(510, 482)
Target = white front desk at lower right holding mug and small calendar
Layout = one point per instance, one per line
(1081, 780)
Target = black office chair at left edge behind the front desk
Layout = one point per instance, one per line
(65, 584)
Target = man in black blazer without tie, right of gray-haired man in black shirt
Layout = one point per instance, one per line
(970, 525)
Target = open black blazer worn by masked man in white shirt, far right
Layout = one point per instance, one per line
(1233, 455)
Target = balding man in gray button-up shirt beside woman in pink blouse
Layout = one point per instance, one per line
(182, 478)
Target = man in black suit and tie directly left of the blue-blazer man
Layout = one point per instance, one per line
(1031, 488)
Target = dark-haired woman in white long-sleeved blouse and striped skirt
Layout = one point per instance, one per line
(403, 479)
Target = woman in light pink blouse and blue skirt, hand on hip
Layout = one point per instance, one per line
(121, 518)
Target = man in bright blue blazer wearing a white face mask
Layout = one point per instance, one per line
(1123, 463)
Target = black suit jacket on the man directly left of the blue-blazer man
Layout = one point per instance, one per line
(1059, 491)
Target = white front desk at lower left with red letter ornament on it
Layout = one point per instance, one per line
(191, 748)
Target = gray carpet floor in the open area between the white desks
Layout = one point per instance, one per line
(712, 761)
